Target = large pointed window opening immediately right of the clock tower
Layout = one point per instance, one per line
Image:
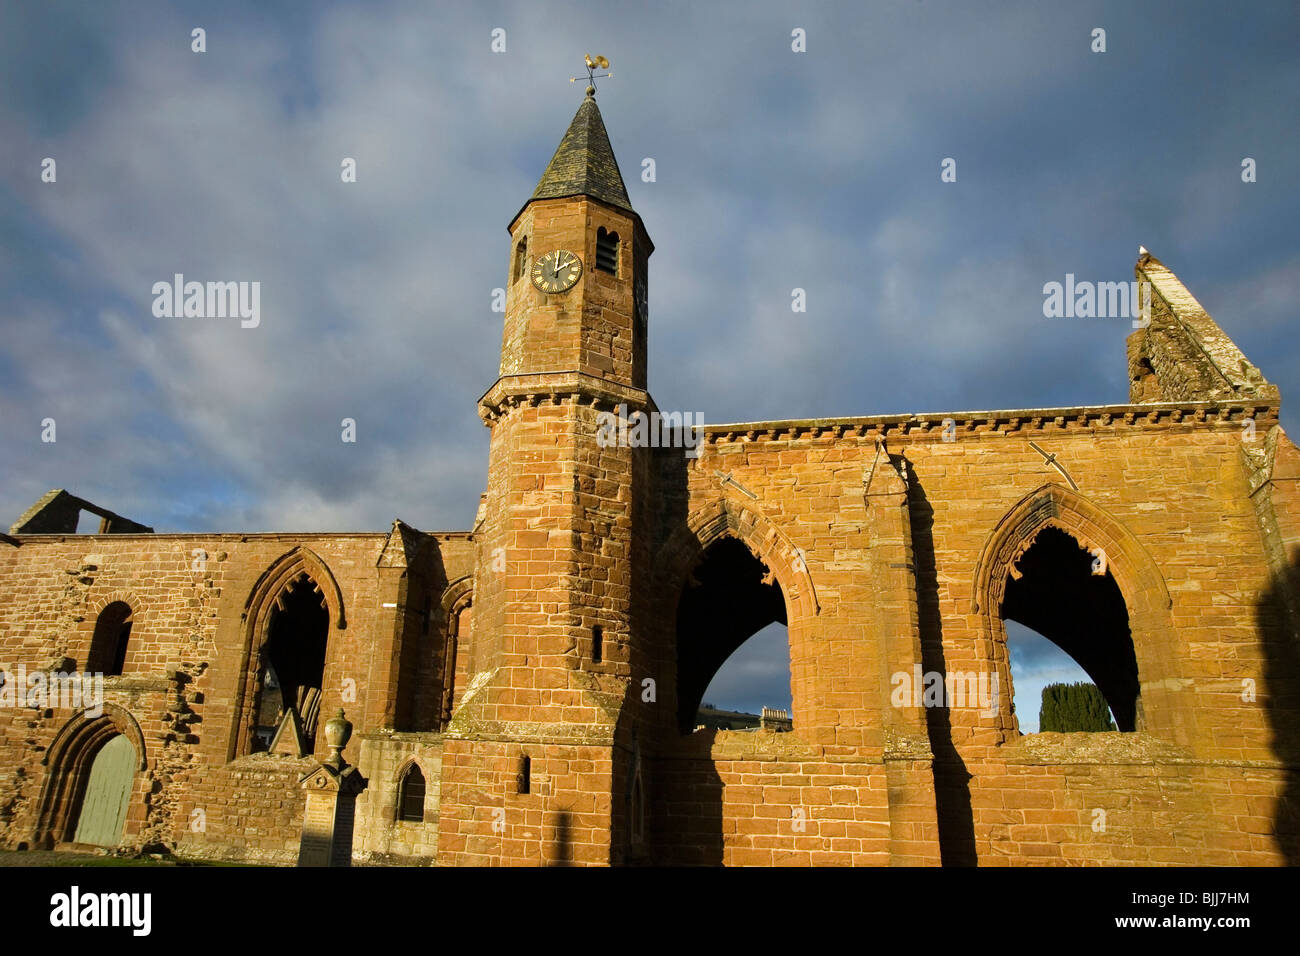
(733, 613)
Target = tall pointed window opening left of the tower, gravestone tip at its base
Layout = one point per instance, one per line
(293, 663)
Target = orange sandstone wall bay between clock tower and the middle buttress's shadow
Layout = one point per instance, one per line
(851, 785)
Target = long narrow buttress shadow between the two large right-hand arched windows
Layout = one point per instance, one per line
(952, 778)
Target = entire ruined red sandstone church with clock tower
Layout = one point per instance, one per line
(526, 691)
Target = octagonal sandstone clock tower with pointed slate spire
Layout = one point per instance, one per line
(530, 763)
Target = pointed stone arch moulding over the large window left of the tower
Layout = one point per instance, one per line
(266, 596)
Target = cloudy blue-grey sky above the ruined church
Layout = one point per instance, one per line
(774, 170)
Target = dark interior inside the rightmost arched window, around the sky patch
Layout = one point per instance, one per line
(1068, 595)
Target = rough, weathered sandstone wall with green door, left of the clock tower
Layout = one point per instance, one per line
(185, 667)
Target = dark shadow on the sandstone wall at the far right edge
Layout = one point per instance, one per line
(1279, 621)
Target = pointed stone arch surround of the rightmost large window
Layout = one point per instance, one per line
(1141, 583)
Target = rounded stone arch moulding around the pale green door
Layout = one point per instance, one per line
(68, 764)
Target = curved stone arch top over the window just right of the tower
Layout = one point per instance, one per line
(723, 518)
